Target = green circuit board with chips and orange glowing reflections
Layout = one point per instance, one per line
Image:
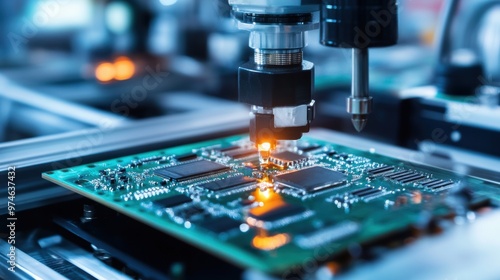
(312, 201)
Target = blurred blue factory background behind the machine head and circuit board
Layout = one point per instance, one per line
(86, 80)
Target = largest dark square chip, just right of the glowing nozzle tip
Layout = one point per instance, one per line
(311, 179)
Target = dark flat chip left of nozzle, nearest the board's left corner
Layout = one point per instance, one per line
(190, 170)
